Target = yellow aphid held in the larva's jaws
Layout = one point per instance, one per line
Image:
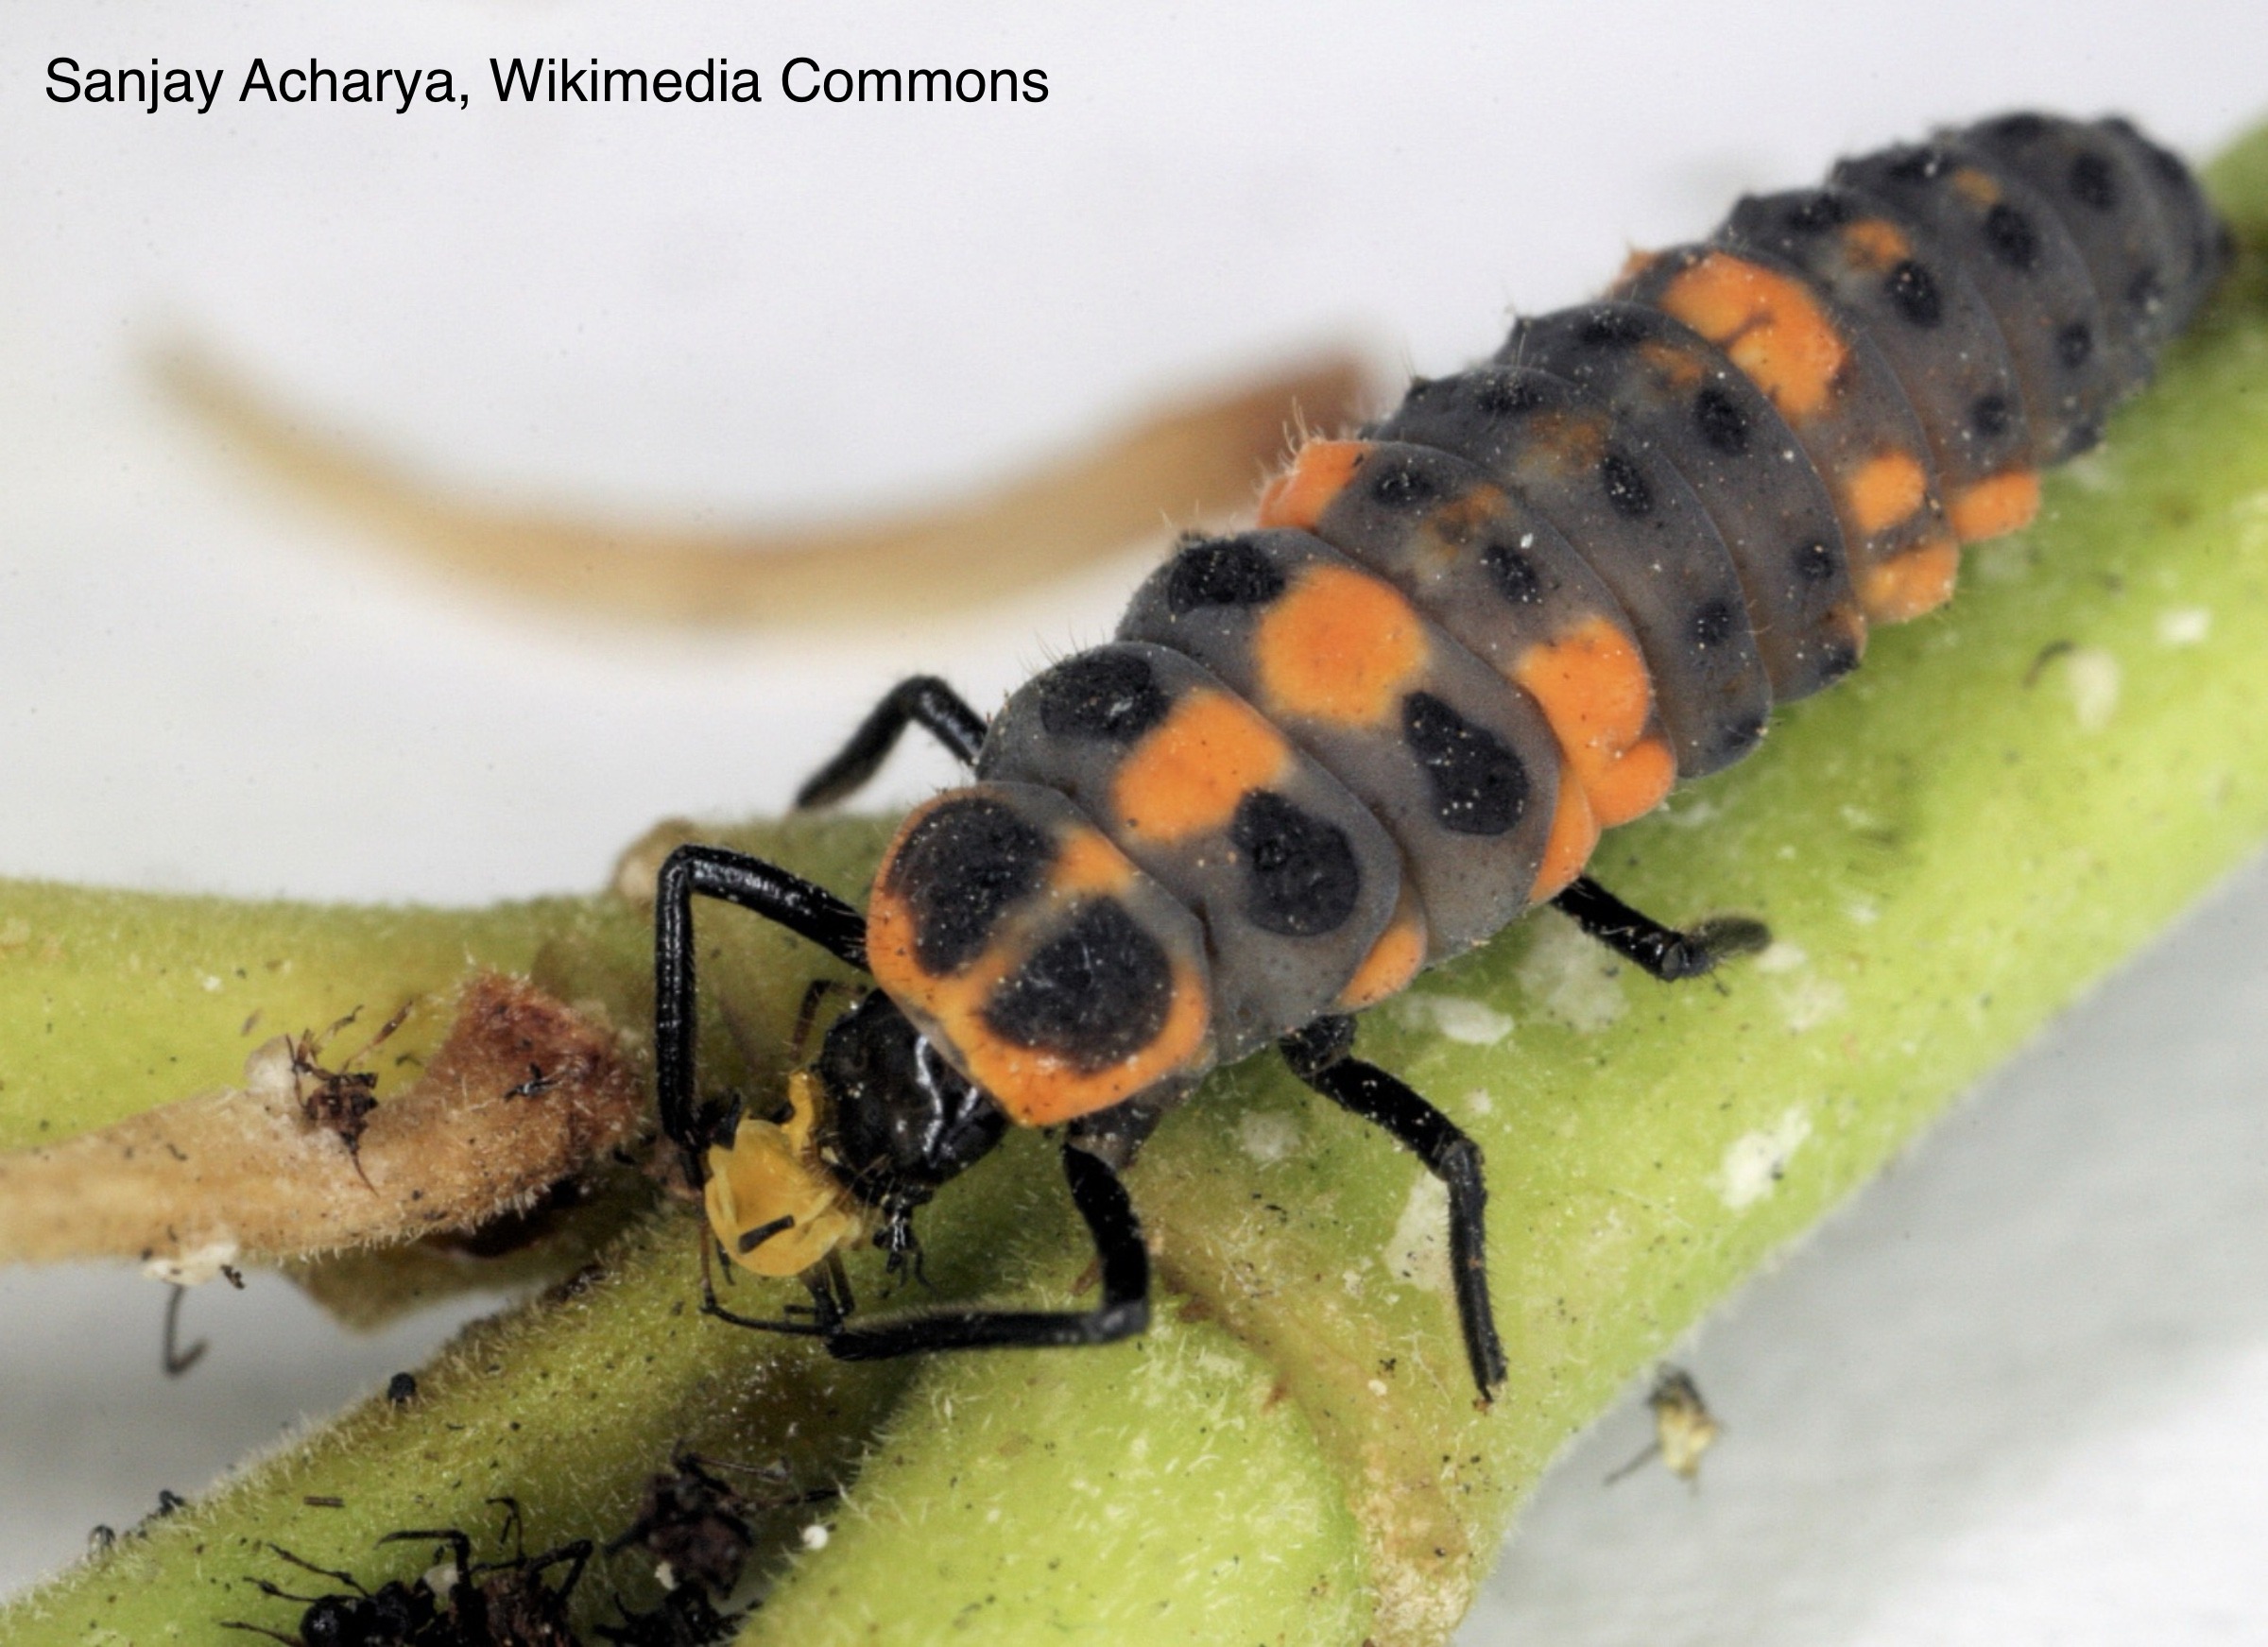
(772, 1174)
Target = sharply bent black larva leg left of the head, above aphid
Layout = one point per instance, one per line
(772, 893)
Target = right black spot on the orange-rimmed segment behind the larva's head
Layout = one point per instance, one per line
(1094, 995)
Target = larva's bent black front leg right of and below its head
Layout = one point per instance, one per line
(1122, 1315)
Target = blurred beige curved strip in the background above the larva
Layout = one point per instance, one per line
(1196, 459)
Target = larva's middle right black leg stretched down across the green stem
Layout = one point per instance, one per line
(1319, 1056)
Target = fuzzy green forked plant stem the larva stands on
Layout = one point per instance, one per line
(1999, 809)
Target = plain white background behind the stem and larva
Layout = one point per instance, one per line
(2020, 1396)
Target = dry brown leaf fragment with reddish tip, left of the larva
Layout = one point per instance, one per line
(257, 1176)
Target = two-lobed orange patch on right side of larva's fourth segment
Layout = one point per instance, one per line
(1598, 698)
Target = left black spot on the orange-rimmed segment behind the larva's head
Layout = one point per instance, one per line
(958, 872)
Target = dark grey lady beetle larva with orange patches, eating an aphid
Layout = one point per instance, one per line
(1369, 734)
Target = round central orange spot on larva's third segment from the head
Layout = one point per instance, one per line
(1339, 648)
